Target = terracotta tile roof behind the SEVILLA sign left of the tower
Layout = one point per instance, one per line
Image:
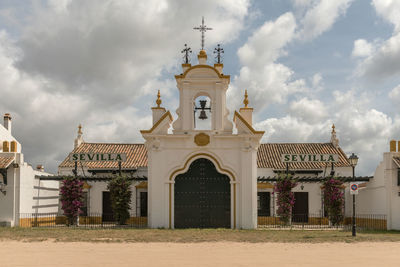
(136, 155)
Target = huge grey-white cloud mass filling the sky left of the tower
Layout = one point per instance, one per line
(100, 63)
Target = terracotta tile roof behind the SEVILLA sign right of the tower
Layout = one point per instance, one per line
(269, 155)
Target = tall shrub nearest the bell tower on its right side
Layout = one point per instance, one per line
(285, 198)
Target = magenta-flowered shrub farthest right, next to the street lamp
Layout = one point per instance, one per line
(334, 199)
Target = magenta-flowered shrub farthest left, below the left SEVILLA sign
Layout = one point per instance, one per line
(71, 198)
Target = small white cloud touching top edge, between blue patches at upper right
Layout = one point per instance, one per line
(321, 16)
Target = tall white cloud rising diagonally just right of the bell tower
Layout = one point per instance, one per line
(266, 80)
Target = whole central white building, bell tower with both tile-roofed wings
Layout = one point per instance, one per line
(207, 172)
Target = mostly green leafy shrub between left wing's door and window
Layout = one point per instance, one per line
(120, 193)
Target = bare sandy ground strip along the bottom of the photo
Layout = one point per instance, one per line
(13, 253)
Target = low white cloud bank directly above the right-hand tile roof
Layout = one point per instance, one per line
(361, 129)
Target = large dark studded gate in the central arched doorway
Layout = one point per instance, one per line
(202, 197)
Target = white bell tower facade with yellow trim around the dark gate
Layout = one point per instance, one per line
(202, 95)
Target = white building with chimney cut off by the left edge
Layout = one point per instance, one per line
(20, 192)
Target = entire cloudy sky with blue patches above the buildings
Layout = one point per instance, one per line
(305, 63)
